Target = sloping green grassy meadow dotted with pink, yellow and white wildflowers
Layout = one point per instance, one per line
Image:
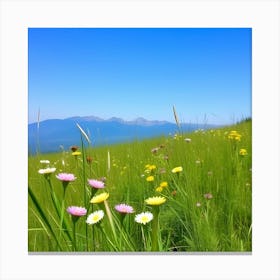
(199, 185)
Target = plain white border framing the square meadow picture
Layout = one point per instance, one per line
(17, 16)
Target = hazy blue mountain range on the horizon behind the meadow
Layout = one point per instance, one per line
(55, 133)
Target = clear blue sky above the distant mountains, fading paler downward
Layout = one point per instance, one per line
(140, 72)
